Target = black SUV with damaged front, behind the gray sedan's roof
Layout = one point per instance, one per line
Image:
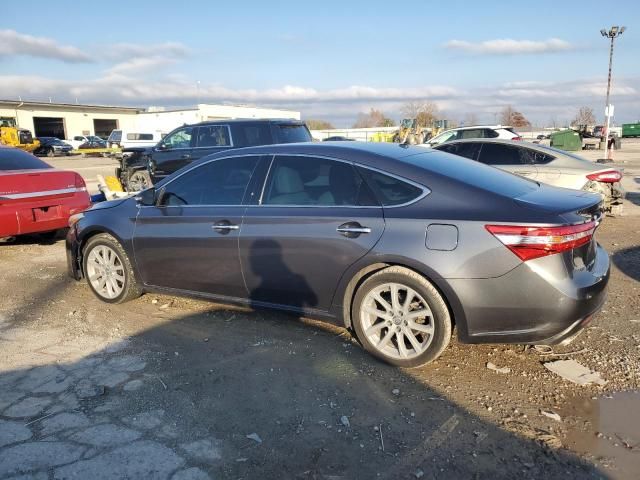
(143, 166)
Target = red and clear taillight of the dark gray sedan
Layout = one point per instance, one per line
(534, 242)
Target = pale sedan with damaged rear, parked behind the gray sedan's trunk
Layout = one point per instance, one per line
(544, 164)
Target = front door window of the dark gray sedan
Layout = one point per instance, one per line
(220, 182)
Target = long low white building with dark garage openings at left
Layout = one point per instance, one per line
(64, 120)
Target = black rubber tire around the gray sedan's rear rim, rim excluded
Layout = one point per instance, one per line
(441, 319)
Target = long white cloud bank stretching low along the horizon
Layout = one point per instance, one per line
(539, 101)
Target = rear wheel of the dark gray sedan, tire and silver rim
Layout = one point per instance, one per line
(401, 318)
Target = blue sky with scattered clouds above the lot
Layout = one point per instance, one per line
(329, 59)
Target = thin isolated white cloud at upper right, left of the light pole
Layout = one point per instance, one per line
(510, 47)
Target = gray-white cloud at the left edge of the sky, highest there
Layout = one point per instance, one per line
(14, 43)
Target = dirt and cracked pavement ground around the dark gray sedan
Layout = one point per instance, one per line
(167, 387)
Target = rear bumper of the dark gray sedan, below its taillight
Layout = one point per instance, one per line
(544, 301)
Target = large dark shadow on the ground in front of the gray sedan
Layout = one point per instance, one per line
(277, 398)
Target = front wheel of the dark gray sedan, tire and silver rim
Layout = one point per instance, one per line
(108, 270)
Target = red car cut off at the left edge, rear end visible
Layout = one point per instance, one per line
(34, 196)
